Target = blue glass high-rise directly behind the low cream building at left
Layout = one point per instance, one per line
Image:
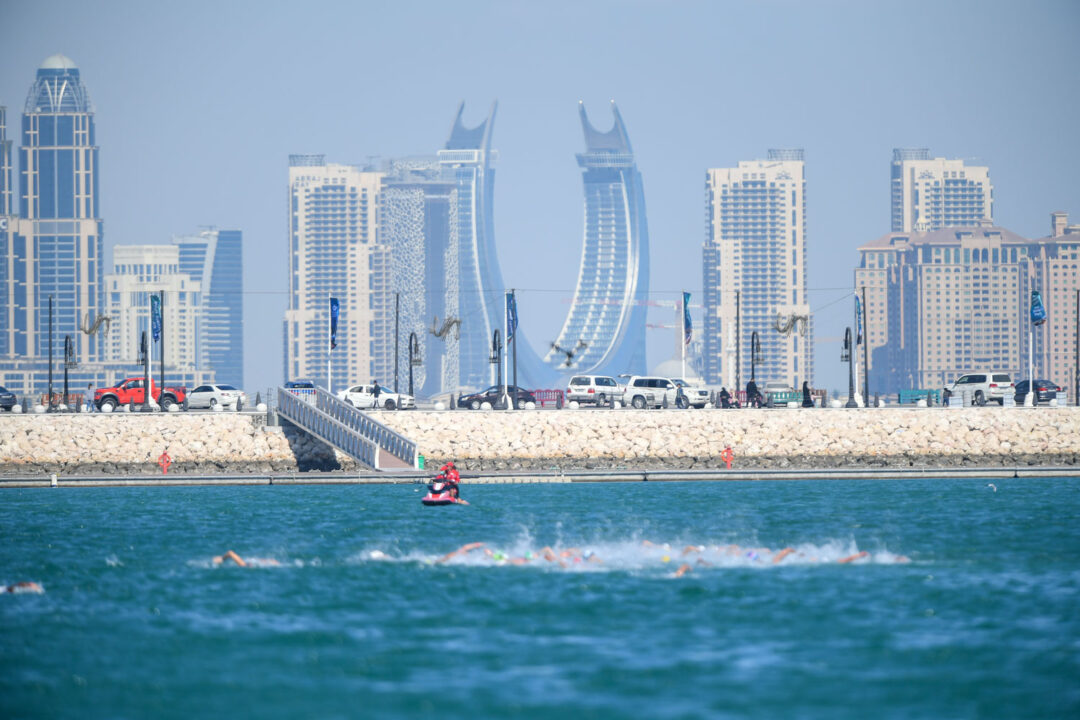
(214, 261)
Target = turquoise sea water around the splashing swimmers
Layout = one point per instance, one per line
(358, 620)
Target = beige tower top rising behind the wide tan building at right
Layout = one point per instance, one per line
(930, 194)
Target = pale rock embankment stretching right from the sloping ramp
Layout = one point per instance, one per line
(880, 438)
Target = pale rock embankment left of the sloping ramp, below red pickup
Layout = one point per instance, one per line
(121, 444)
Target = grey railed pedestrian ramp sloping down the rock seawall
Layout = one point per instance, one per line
(349, 430)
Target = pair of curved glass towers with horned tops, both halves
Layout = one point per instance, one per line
(604, 332)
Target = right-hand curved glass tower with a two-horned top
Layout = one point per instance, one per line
(605, 328)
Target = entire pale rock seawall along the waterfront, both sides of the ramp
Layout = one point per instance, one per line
(542, 441)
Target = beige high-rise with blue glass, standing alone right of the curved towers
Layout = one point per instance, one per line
(754, 273)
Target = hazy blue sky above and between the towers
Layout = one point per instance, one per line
(199, 104)
